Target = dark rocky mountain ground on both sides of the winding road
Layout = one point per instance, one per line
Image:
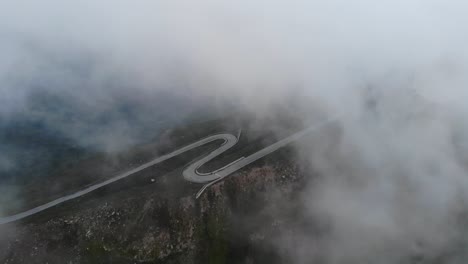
(153, 216)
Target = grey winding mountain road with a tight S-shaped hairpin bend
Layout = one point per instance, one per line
(190, 173)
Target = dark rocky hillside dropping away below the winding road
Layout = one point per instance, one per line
(235, 221)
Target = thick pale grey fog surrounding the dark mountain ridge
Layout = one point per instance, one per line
(394, 71)
